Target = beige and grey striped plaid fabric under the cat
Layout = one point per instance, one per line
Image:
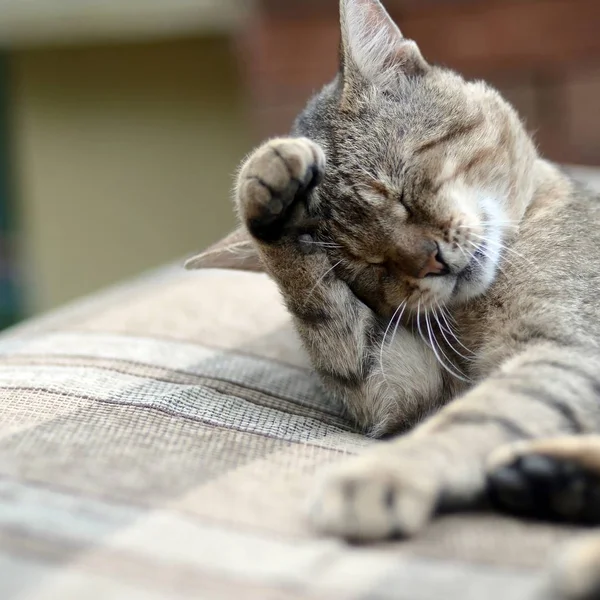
(159, 442)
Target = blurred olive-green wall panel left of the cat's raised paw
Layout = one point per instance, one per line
(124, 157)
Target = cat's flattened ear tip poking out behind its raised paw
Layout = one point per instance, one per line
(235, 251)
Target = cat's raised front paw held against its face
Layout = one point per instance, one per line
(272, 181)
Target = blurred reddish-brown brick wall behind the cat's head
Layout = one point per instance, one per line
(544, 55)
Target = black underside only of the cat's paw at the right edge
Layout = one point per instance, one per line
(547, 488)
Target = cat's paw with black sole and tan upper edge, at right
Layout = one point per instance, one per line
(557, 480)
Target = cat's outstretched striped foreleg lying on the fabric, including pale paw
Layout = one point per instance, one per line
(395, 488)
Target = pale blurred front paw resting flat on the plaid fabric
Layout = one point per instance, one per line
(371, 498)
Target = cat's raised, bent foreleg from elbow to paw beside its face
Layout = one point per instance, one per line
(274, 190)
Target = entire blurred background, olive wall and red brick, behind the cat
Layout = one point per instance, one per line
(122, 122)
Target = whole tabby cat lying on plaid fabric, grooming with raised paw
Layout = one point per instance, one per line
(444, 279)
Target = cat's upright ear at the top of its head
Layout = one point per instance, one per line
(373, 47)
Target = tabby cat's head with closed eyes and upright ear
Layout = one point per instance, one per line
(426, 172)
